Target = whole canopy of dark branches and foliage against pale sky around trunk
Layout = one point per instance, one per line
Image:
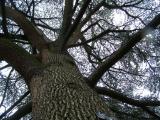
(115, 44)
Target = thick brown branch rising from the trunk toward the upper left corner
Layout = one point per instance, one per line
(33, 34)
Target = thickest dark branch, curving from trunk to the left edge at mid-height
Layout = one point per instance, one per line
(20, 59)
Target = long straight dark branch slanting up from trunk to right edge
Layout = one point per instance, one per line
(117, 55)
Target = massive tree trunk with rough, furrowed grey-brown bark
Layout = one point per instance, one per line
(60, 93)
